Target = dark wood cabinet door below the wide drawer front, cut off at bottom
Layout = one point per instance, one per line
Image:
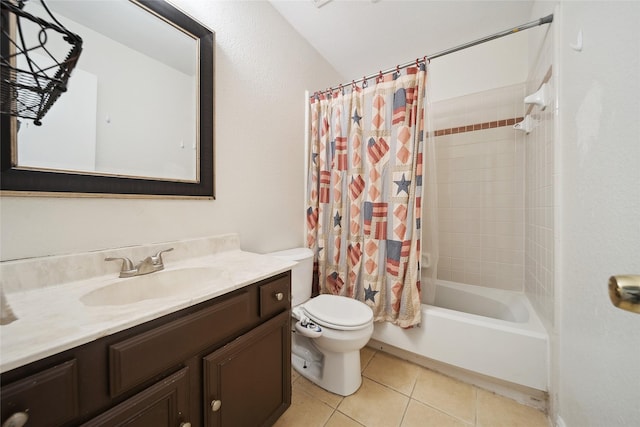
(163, 404)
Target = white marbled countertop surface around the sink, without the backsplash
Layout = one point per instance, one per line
(53, 319)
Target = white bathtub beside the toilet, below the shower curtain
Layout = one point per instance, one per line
(487, 331)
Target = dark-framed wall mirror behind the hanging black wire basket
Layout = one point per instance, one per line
(137, 118)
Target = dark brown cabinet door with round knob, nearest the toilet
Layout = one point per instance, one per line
(247, 383)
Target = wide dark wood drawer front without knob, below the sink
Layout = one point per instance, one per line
(137, 359)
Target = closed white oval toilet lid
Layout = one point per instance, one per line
(338, 312)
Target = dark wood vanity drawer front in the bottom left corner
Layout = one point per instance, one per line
(49, 397)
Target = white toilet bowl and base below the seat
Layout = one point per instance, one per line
(338, 373)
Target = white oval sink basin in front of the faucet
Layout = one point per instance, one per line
(180, 283)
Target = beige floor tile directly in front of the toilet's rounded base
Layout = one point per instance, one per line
(375, 405)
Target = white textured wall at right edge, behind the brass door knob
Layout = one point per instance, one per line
(598, 213)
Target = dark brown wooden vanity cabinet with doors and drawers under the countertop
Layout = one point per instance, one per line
(218, 361)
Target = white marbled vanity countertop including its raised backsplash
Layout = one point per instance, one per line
(45, 293)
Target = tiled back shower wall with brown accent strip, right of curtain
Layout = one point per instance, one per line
(480, 174)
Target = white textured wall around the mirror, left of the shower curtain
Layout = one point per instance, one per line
(262, 69)
